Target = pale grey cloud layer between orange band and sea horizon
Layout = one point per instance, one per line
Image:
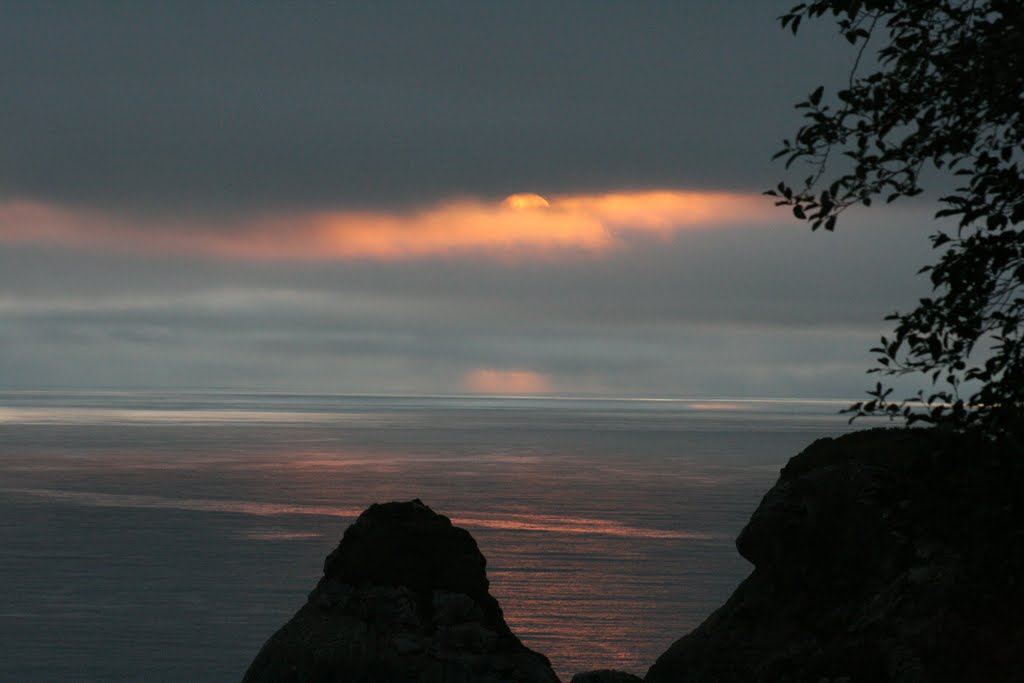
(766, 311)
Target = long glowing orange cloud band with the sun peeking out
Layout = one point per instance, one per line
(523, 225)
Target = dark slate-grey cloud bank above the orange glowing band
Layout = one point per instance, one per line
(230, 107)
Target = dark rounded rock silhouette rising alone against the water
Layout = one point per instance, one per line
(404, 597)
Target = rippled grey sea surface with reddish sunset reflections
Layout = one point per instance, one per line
(155, 537)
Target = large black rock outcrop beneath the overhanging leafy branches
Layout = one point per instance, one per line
(885, 556)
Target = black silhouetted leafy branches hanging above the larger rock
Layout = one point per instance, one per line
(947, 93)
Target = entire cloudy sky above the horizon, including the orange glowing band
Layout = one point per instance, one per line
(444, 198)
